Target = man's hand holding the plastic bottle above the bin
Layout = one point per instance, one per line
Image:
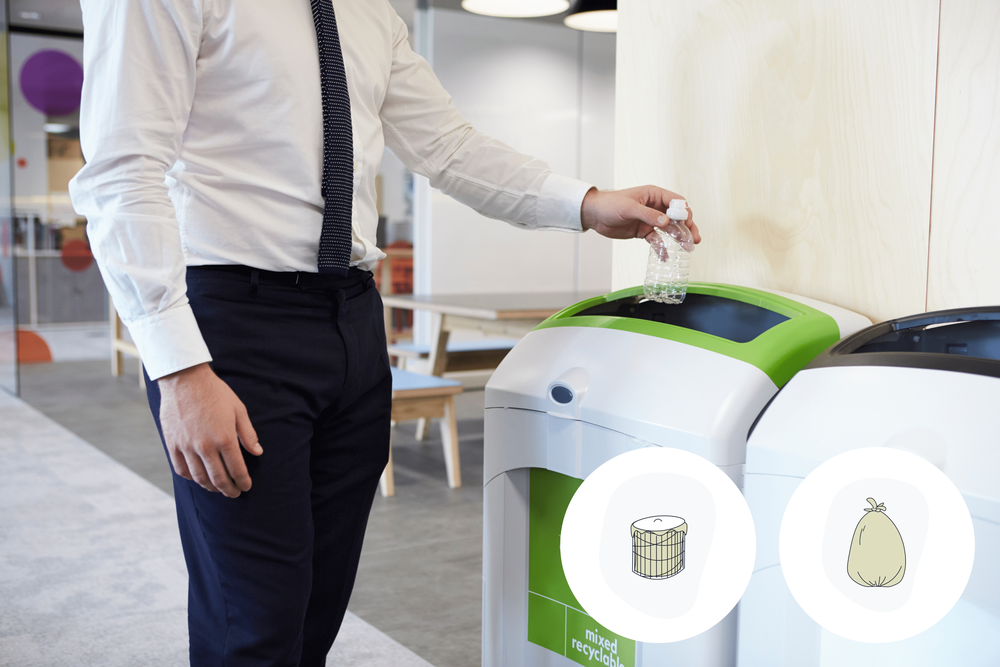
(632, 213)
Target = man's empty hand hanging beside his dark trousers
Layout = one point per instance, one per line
(204, 424)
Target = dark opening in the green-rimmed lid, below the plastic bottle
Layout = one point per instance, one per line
(729, 319)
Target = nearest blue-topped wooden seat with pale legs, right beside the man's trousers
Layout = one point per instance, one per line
(416, 396)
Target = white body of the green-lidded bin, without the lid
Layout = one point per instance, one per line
(630, 391)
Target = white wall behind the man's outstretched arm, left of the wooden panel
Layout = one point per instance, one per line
(547, 91)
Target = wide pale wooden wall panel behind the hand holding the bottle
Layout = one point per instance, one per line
(800, 130)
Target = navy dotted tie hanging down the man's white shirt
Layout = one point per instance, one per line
(338, 145)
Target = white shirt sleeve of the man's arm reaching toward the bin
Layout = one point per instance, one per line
(429, 136)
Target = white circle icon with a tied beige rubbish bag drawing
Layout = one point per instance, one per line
(876, 545)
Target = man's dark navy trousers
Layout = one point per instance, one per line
(271, 572)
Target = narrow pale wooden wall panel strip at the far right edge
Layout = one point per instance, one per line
(965, 222)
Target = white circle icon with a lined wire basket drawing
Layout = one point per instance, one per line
(658, 545)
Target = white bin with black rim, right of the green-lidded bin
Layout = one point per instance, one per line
(926, 386)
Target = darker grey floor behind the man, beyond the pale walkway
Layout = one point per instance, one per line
(420, 580)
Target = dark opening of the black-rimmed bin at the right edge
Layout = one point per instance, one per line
(977, 338)
